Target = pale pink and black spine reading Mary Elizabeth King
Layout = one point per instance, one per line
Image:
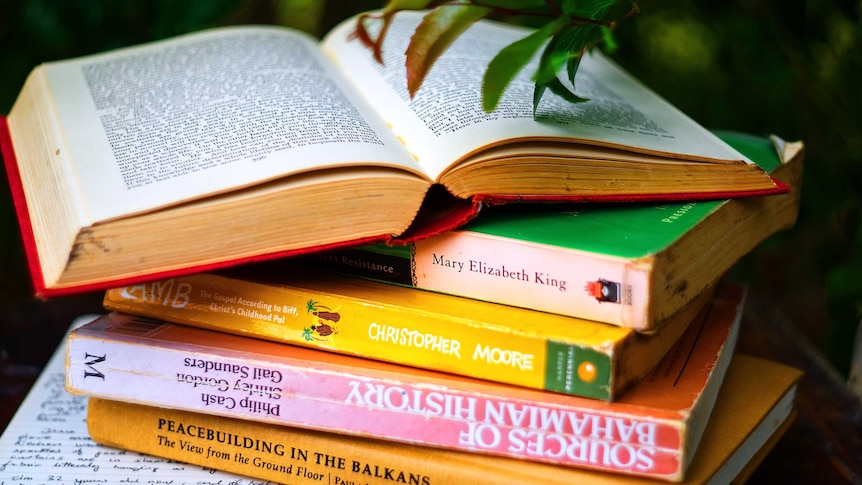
(512, 272)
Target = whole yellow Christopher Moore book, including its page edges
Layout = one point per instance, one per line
(280, 302)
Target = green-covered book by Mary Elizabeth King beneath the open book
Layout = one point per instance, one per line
(631, 265)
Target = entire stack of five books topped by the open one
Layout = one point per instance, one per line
(311, 277)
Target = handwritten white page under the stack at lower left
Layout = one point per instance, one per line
(47, 443)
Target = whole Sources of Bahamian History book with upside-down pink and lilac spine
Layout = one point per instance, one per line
(653, 430)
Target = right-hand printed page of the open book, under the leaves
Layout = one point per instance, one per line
(445, 120)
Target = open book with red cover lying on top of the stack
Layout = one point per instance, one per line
(246, 143)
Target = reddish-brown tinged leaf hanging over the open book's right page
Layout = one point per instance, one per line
(438, 29)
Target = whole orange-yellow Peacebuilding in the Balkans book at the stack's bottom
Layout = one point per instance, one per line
(753, 409)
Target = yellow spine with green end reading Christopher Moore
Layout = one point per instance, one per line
(367, 328)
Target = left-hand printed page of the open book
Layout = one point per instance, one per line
(206, 113)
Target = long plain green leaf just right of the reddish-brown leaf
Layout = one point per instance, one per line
(510, 60)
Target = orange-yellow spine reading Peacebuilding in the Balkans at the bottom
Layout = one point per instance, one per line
(285, 454)
